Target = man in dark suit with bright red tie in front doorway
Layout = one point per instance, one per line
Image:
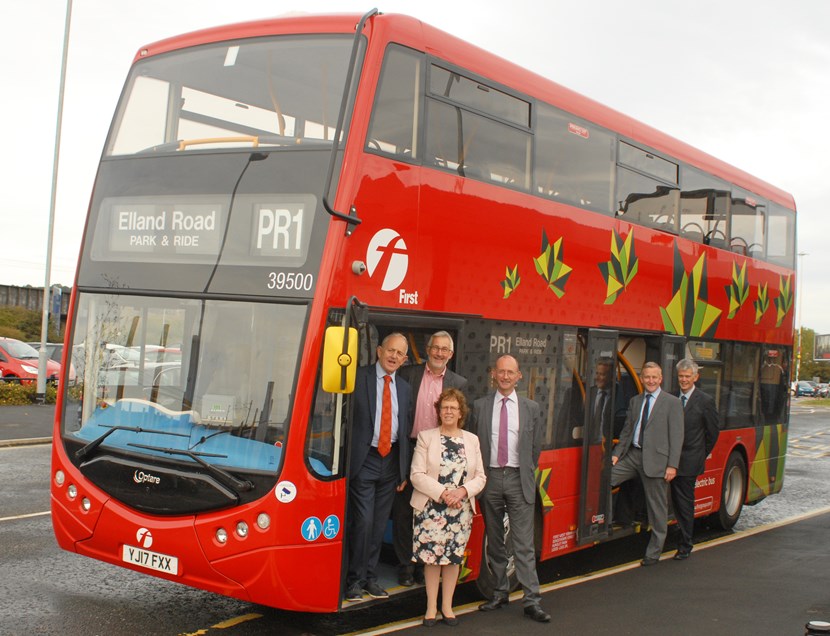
(379, 462)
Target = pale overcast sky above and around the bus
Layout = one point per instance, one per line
(747, 81)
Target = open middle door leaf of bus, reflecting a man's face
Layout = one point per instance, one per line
(597, 442)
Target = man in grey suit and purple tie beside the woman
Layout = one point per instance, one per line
(510, 429)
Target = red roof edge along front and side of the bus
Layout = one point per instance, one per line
(421, 36)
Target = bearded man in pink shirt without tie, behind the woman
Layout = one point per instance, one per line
(427, 381)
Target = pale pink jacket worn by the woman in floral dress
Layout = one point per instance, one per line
(426, 465)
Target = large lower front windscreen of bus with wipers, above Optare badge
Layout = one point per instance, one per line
(189, 391)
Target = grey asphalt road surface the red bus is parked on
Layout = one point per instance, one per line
(48, 591)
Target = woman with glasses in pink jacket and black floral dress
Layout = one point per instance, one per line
(447, 473)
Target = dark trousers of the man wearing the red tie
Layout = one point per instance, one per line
(371, 494)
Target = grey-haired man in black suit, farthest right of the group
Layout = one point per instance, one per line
(701, 433)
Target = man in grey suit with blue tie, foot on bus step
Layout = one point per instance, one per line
(649, 446)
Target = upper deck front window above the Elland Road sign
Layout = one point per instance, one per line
(262, 93)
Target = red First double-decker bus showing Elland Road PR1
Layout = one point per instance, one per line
(272, 187)
